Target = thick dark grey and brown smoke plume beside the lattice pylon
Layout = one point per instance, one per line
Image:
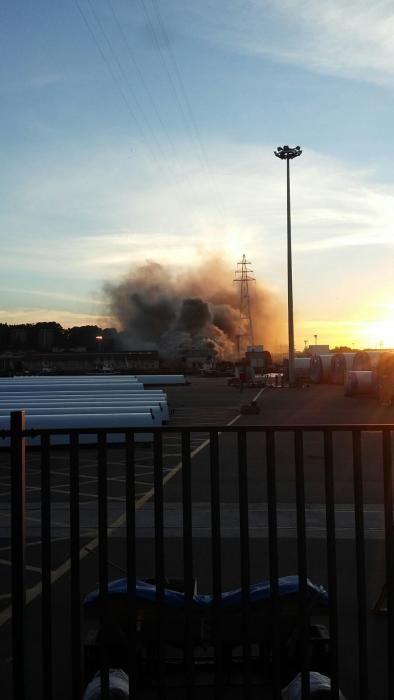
(189, 313)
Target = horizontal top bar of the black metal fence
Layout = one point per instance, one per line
(330, 427)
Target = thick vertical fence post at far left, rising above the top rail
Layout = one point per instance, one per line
(18, 542)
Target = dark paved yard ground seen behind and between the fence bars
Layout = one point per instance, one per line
(210, 402)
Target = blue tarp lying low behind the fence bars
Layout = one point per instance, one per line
(259, 592)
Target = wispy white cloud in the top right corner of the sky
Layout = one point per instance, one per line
(341, 37)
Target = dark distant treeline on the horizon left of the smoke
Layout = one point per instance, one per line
(51, 336)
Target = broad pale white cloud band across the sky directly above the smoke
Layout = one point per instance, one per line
(122, 216)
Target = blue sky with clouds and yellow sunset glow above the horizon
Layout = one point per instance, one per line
(137, 130)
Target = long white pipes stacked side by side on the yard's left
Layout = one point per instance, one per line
(83, 402)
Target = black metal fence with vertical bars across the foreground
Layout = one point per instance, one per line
(250, 648)
